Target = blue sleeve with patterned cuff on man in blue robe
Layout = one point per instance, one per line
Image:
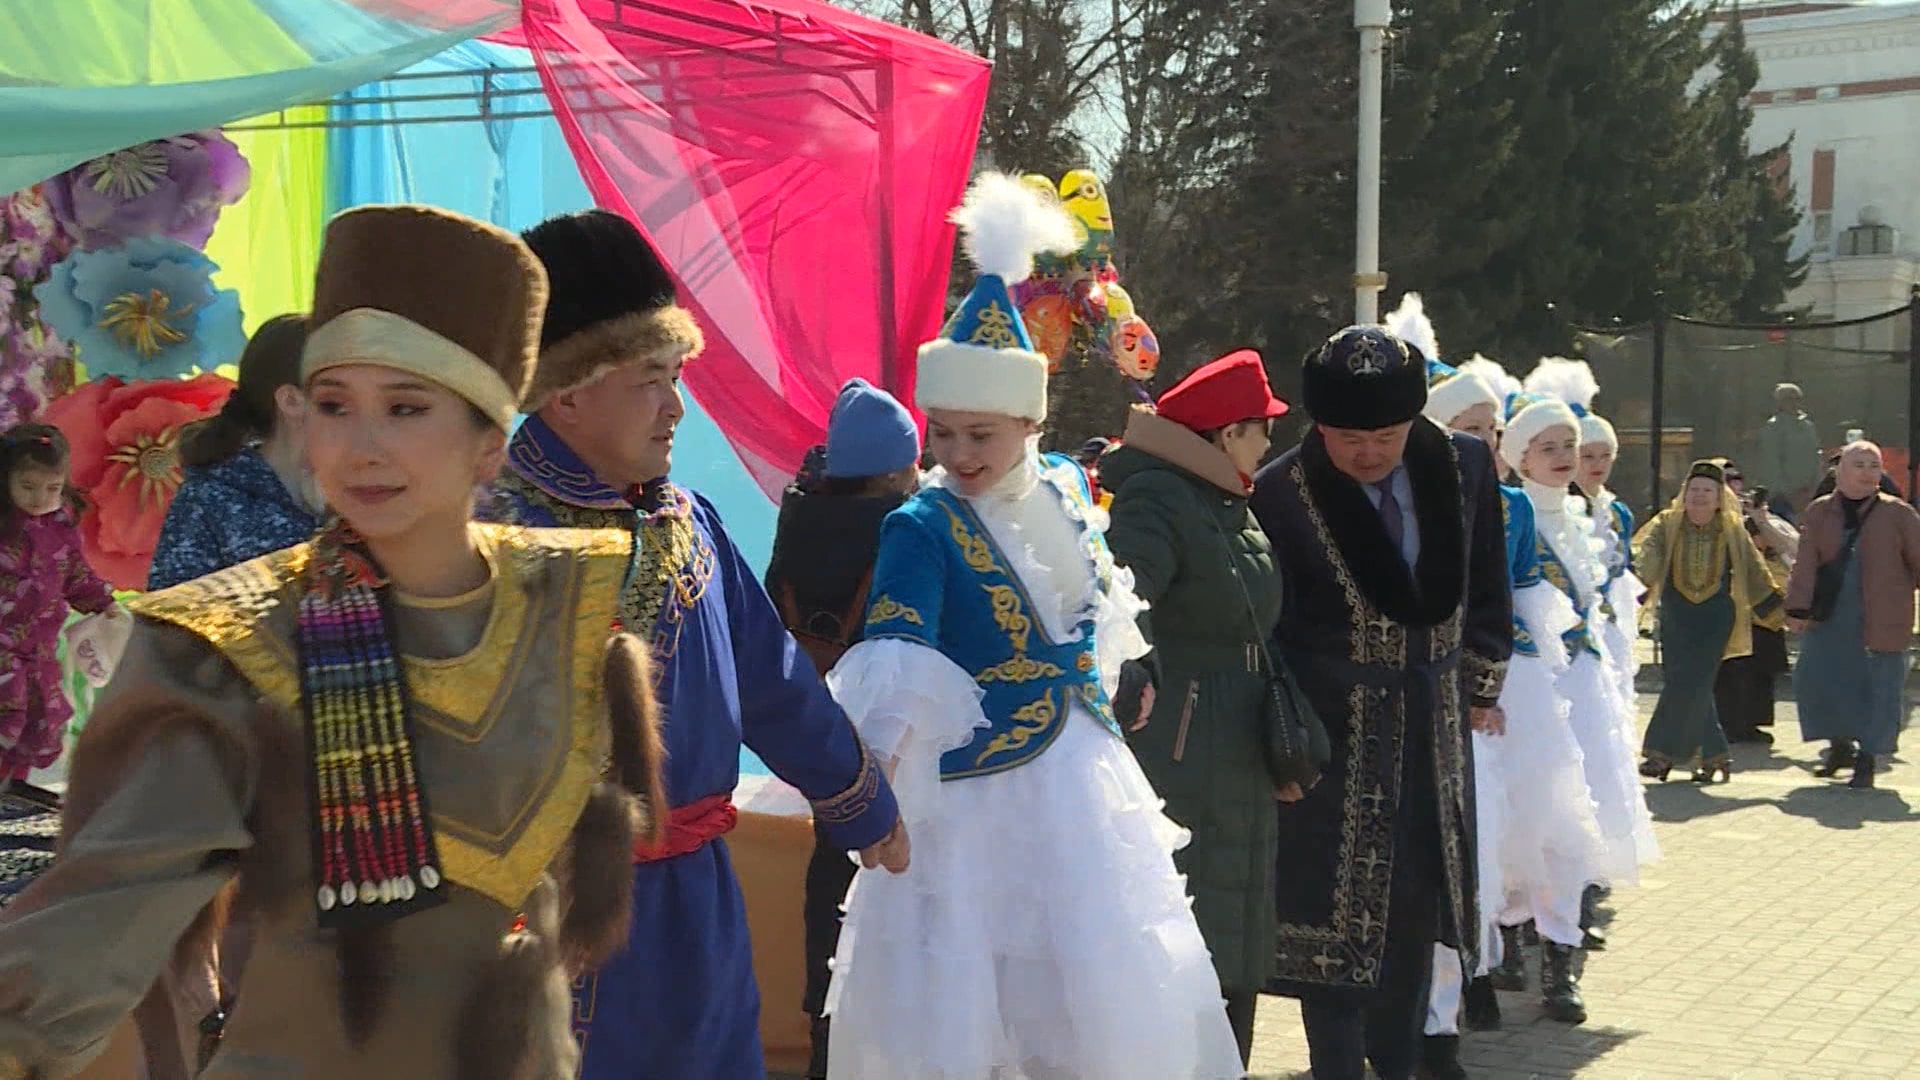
(786, 714)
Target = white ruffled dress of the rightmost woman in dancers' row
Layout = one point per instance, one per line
(1595, 683)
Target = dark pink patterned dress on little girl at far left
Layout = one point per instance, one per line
(43, 576)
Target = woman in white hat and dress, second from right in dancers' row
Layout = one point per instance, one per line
(1556, 843)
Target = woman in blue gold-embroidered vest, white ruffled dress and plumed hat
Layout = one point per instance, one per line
(1044, 929)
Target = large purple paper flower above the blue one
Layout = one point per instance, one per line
(170, 187)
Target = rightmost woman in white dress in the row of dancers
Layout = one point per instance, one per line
(1608, 737)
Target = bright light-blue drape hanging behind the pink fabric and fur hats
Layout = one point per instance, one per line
(514, 174)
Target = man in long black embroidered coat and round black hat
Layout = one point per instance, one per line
(1393, 551)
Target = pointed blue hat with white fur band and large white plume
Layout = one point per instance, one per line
(984, 362)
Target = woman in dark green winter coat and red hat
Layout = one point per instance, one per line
(1199, 558)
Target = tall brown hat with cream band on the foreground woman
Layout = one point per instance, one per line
(431, 293)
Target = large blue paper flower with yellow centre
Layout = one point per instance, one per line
(143, 310)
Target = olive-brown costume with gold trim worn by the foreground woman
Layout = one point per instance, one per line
(195, 772)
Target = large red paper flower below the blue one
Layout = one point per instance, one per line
(126, 458)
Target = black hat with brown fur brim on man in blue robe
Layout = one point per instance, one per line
(613, 305)
